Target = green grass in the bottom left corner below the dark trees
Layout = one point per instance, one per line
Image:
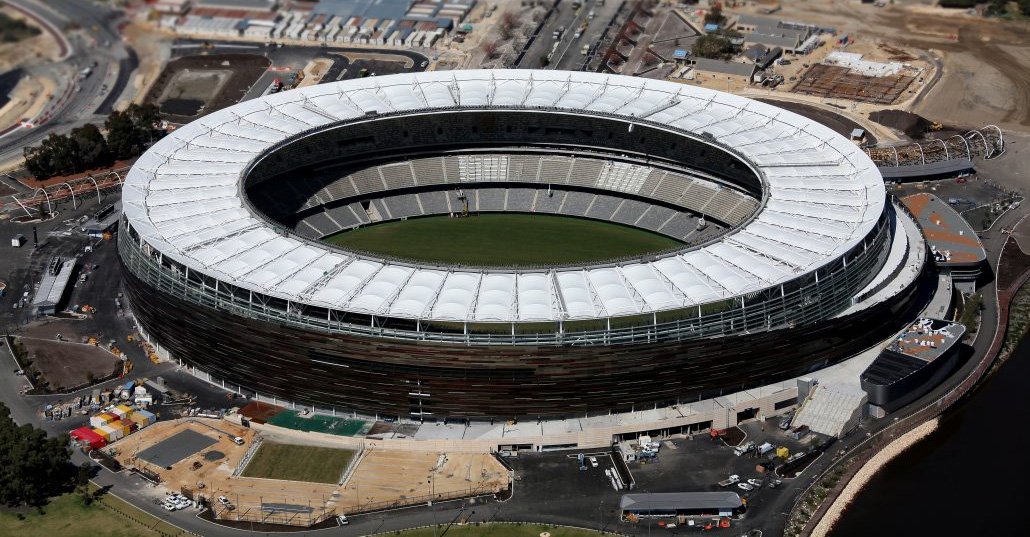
(66, 517)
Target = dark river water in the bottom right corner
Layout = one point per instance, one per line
(970, 478)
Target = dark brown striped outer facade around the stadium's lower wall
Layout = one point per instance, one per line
(423, 380)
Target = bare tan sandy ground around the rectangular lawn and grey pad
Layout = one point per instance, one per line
(381, 478)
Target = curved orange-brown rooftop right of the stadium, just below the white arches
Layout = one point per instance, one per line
(952, 241)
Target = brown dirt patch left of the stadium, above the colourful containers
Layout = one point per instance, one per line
(65, 365)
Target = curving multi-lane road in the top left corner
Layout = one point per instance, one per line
(77, 102)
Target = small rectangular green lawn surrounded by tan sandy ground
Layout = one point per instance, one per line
(298, 463)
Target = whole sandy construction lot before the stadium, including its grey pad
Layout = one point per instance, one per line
(209, 459)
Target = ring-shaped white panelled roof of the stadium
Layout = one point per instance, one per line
(185, 199)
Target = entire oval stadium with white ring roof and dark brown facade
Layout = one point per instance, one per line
(772, 248)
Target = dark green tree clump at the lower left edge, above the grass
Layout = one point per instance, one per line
(33, 467)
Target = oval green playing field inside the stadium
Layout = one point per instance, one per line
(504, 240)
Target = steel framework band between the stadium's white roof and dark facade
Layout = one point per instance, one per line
(815, 299)
